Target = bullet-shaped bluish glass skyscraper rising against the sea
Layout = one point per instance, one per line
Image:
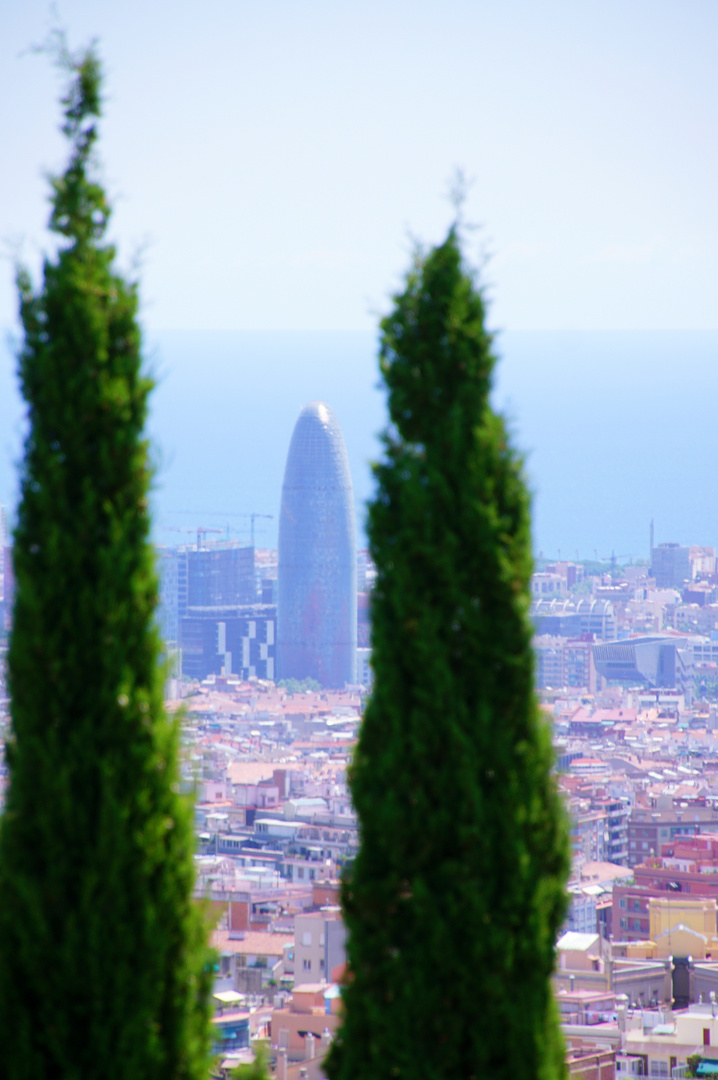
(317, 604)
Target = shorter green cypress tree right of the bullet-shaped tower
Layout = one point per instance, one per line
(457, 893)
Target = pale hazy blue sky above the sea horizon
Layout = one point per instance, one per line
(274, 157)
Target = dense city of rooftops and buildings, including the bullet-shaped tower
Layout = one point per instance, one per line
(268, 654)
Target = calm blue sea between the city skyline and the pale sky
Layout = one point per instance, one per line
(617, 430)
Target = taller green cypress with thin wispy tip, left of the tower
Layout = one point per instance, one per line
(104, 964)
